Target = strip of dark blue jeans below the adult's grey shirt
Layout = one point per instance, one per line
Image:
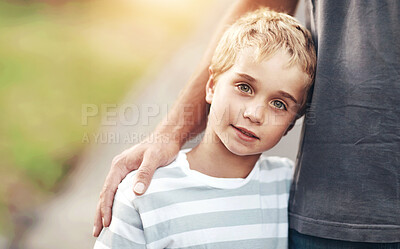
(302, 241)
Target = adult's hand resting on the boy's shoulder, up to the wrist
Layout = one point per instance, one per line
(146, 156)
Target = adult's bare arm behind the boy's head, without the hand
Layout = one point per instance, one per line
(188, 115)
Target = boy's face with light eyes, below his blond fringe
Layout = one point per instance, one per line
(254, 103)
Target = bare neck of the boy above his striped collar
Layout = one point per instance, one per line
(212, 158)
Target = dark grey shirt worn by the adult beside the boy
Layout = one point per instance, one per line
(347, 179)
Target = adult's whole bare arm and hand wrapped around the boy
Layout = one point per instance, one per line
(170, 135)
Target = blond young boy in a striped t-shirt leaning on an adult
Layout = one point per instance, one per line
(222, 194)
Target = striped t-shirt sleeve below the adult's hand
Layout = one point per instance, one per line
(126, 229)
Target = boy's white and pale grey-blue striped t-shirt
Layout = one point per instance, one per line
(184, 208)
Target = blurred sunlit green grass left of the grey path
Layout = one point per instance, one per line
(56, 56)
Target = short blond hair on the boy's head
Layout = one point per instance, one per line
(267, 31)
